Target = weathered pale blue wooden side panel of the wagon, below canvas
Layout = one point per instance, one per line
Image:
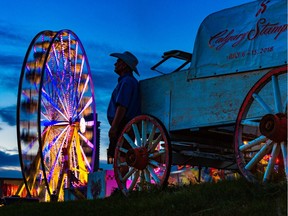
(182, 104)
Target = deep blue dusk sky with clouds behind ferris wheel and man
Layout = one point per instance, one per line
(147, 28)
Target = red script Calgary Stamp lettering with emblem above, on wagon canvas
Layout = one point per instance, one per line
(262, 28)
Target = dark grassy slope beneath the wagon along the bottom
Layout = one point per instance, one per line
(222, 198)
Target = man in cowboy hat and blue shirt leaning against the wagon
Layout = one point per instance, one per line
(125, 99)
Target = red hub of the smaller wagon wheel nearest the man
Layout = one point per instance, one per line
(137, 158)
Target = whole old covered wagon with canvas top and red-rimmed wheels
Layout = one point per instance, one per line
(227, 110)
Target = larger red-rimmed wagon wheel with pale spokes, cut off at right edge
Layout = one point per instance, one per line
(261, 129)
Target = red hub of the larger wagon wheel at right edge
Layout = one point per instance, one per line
(274, 127)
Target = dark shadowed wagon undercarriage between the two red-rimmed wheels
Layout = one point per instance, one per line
(206, 147)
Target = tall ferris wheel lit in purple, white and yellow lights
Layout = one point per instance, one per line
(56, 116)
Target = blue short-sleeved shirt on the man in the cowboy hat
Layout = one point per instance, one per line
(126, 94)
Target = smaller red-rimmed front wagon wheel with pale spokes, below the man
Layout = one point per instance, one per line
(143, 155)
